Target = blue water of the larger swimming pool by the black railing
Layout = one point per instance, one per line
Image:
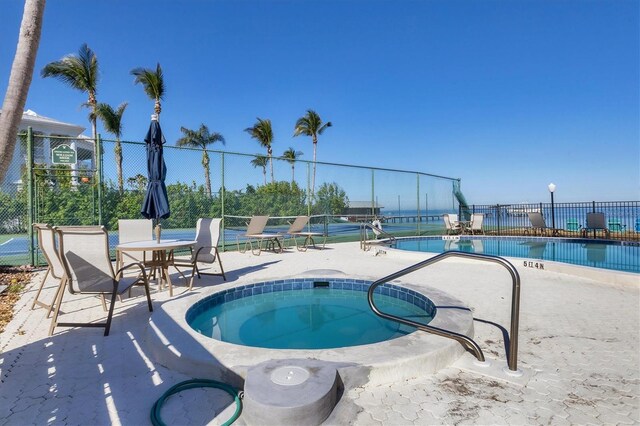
(615, 255)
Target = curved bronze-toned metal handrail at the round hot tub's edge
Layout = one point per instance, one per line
(512, 355)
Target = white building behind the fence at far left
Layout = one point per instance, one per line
(42, 128)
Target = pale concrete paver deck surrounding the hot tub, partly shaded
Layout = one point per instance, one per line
(579, 341)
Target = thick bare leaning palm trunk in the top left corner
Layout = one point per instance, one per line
(19, 80)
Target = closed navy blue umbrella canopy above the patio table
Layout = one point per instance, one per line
(156, 202)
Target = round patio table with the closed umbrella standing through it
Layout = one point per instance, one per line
(162, 255)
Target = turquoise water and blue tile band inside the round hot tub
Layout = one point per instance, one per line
(292, 314)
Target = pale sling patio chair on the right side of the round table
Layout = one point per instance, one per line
(206, 249)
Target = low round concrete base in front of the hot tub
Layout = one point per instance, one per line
(289, 391)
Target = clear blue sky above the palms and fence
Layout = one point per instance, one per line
(506, 95)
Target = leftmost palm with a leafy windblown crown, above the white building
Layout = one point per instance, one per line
(81, 73)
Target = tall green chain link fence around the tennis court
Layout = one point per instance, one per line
(107, 181)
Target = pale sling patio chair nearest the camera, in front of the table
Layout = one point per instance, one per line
(84, 253)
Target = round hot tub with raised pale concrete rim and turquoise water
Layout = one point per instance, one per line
(284, 319)
